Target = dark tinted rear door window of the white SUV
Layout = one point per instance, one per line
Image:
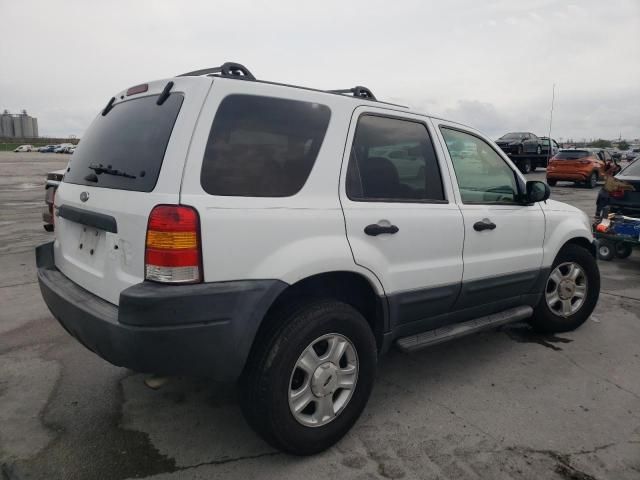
(393, 160)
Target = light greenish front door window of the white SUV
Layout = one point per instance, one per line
(483, 175)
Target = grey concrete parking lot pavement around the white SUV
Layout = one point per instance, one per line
(502, 404)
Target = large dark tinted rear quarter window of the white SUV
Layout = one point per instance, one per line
(262, 146)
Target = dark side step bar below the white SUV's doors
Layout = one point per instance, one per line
(443, 334)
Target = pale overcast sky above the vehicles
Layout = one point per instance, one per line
(490, 64)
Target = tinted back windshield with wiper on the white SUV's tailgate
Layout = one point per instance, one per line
(124, 149)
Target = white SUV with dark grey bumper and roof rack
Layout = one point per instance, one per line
(214, 224)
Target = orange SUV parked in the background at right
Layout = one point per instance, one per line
(579, 166)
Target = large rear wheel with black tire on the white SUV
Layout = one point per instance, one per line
(273, 370)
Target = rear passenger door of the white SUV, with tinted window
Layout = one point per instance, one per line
(401, 222)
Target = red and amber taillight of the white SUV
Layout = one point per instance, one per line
(172, 253)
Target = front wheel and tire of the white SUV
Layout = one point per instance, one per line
(548, 316)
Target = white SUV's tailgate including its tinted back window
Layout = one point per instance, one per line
(128, 161)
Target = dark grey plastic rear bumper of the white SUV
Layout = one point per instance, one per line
(204, 330)
